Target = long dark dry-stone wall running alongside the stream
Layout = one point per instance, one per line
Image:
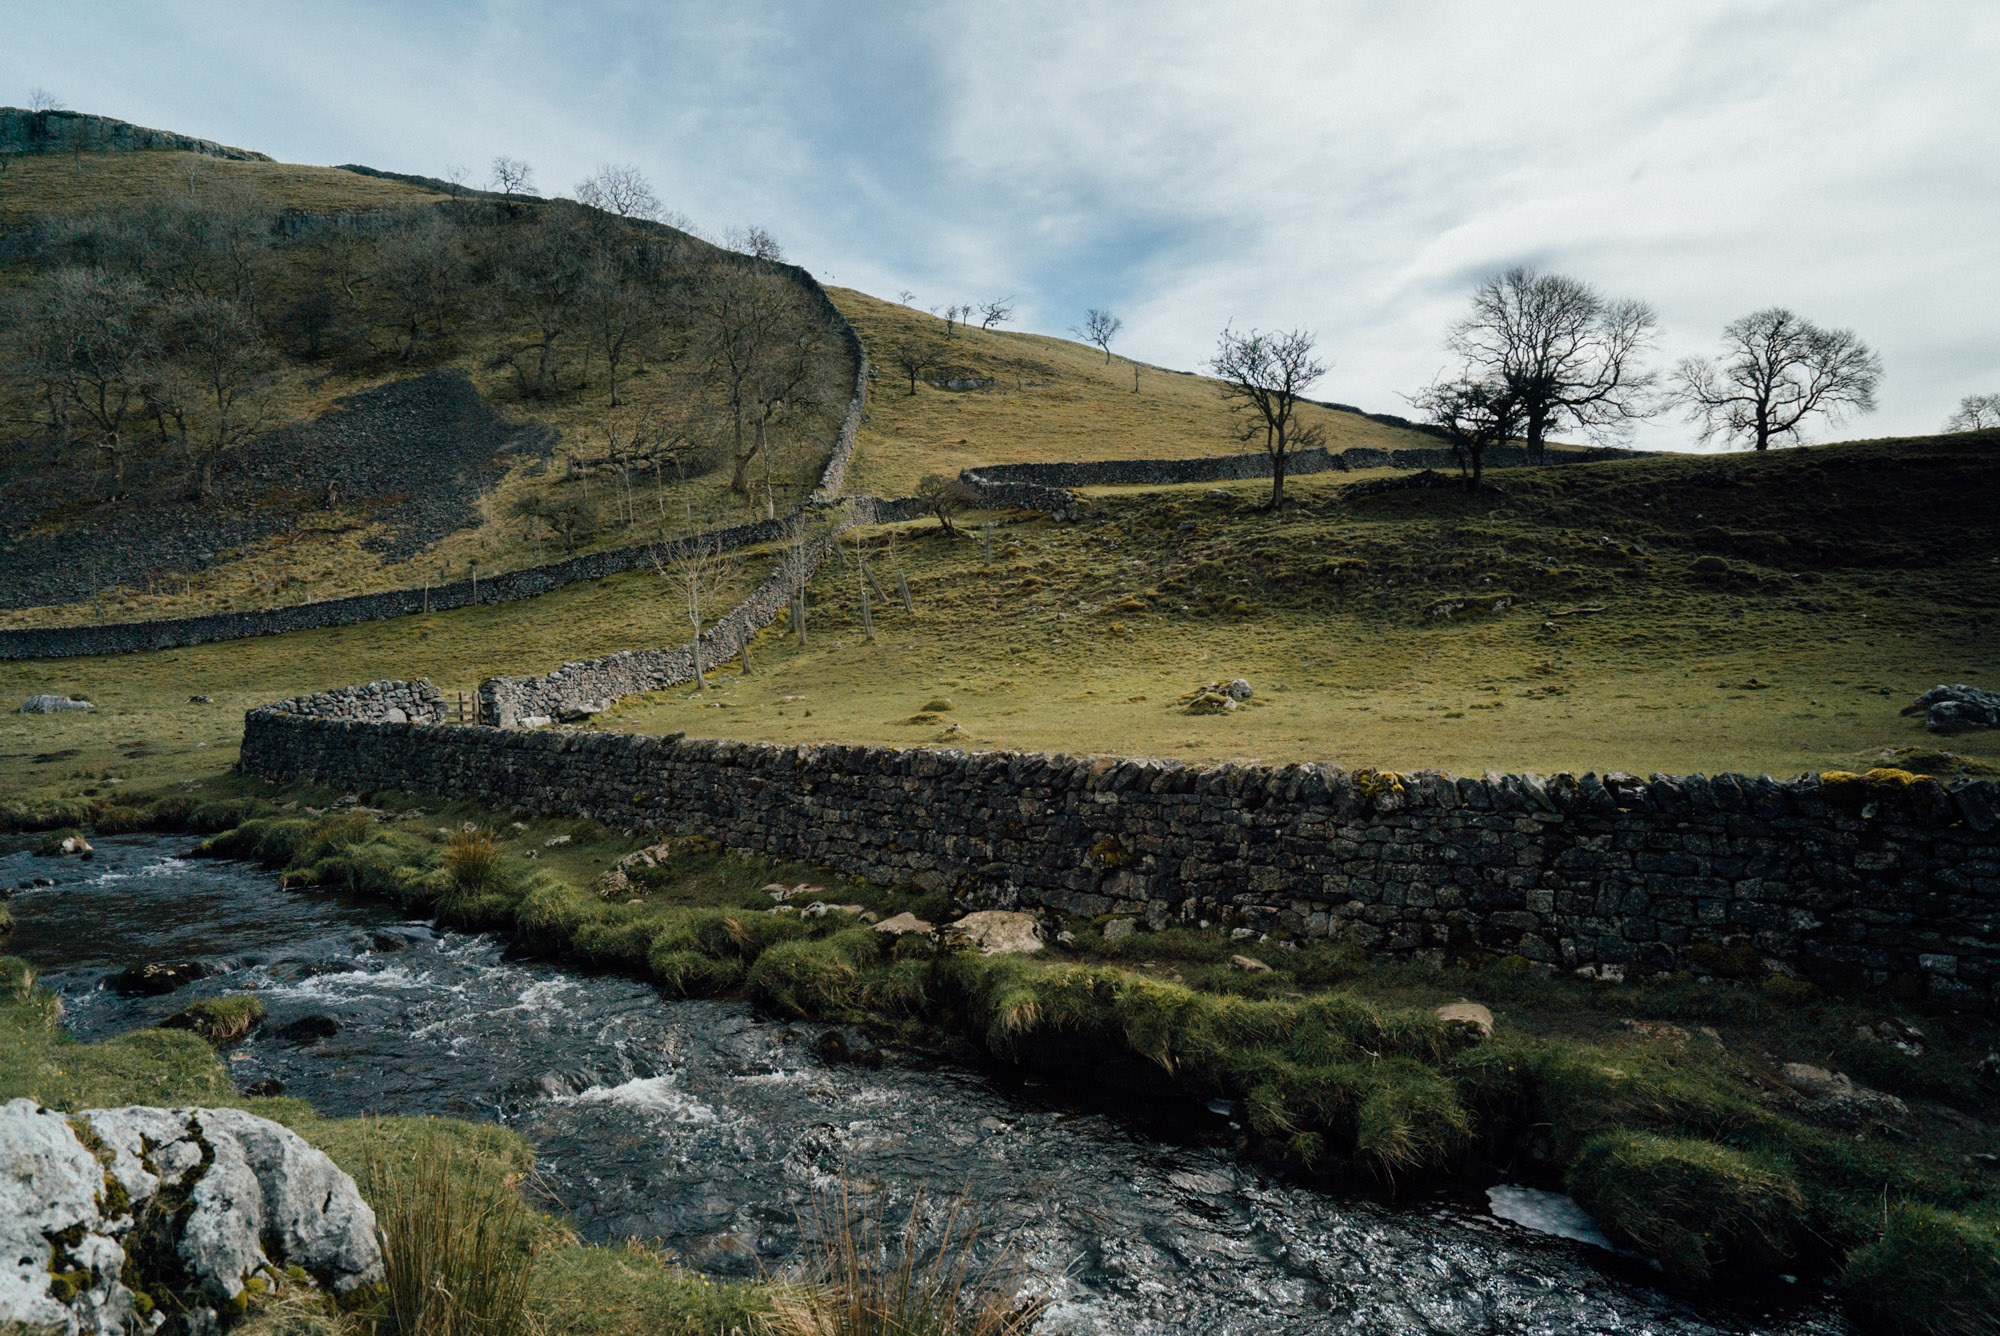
(1855, 881)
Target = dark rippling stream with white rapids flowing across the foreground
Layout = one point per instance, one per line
(707, 1127)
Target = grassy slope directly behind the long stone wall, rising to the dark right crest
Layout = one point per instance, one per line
(1871, 583)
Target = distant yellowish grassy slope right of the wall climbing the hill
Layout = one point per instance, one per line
(1053, 401)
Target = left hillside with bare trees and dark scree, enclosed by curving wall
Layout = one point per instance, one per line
(333, 299)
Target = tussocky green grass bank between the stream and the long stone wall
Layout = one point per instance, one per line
(1663, 1105)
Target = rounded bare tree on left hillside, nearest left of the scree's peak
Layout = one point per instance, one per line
(209, 391)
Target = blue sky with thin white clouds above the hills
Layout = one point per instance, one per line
(1345, 167)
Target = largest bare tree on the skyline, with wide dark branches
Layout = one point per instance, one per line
(1563, 351)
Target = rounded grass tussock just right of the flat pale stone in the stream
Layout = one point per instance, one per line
(1697, 1207)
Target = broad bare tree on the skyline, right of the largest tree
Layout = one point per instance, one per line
(1775, 373)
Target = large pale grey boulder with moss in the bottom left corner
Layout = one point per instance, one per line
(185, 1201)
